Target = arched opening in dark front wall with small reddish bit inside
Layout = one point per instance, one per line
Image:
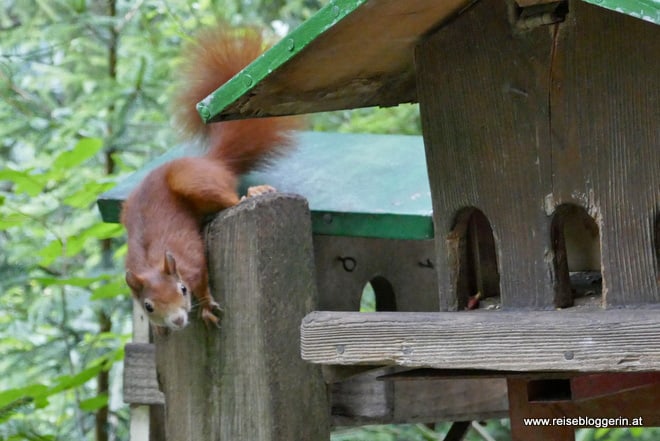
(473, 259)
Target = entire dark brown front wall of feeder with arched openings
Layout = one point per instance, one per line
(519, 124)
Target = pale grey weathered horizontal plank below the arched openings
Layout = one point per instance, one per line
(615, 340)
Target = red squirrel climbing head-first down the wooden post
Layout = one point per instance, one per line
(164, 215)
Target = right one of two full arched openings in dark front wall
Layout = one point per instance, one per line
(576, 245)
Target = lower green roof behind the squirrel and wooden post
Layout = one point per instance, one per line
(357, 185)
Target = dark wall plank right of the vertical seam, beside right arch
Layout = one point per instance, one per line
(605, 101)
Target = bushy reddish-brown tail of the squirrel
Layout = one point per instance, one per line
(215, 56)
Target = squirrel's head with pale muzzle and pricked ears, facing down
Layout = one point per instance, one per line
(162, 294)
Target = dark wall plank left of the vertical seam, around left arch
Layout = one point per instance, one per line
(483, 94)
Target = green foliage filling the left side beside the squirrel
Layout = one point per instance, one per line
(83, 101)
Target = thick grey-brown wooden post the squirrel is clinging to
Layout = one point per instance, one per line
(246, 381)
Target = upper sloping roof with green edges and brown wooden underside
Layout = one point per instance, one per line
(352, 53)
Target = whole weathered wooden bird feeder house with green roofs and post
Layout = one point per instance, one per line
(514, 249)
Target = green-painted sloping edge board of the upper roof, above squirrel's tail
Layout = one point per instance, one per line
(283, 51)
